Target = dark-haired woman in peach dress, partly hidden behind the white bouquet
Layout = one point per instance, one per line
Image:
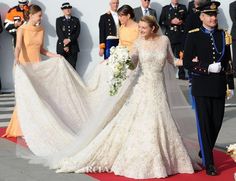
(128, 31)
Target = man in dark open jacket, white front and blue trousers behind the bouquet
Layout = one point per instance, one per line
(108, 26)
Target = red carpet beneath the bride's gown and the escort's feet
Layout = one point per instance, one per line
(225, 165)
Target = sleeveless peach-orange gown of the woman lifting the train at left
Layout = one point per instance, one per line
(30, 53)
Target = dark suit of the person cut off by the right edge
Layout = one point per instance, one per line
(232, 12)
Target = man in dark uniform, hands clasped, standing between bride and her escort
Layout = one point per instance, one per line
(172, 19)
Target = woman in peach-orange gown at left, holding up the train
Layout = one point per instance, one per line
(29, 46)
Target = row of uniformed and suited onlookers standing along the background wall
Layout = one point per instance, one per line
(175, 19)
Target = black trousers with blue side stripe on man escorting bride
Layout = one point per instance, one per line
(209, 115)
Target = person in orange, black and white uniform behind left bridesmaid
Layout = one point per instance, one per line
(15, 18)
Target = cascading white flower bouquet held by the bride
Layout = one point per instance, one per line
(120, 62)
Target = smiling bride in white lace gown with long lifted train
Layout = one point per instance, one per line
(131, 134)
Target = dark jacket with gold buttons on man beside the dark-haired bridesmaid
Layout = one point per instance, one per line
(107, 27)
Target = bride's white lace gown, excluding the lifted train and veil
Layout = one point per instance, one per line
(142, 140)
